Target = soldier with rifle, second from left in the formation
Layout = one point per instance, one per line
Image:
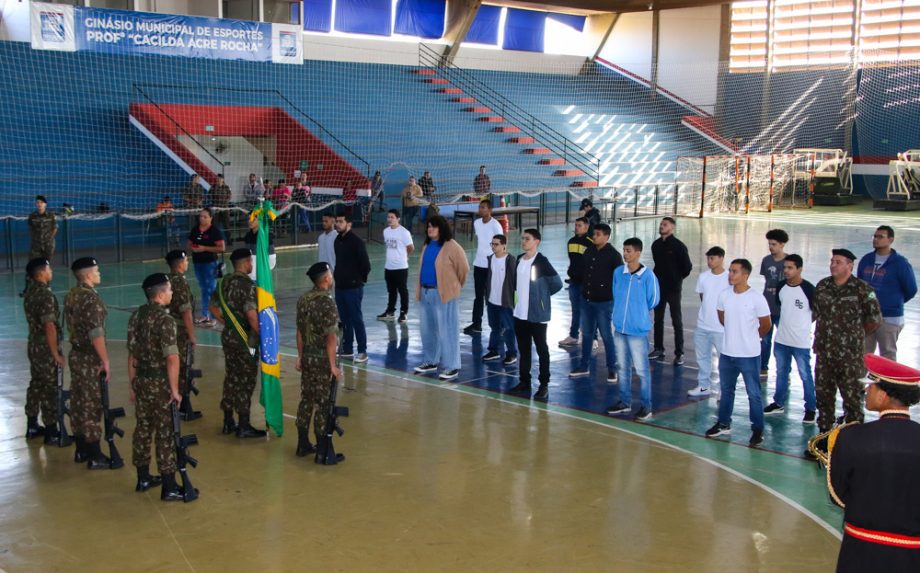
(85, 314)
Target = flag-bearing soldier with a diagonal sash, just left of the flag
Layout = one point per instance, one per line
(234, 305)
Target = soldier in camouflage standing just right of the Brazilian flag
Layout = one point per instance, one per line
(317, 341)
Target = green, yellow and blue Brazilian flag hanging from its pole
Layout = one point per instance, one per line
(268, 323)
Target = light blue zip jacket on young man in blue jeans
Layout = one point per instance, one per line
(634, 296)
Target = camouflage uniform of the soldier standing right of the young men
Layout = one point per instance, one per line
(841, 313)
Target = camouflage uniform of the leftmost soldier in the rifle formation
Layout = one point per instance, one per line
(41, 307)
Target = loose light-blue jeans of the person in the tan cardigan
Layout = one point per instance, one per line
(440, 326)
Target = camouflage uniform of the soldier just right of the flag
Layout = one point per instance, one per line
(316, 317)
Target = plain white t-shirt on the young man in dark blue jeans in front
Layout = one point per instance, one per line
(742, 321)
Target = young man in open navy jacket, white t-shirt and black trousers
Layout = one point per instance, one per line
(536, 281)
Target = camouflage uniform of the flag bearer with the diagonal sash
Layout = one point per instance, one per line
(241, 367)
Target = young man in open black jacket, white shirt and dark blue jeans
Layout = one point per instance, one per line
(500, 302)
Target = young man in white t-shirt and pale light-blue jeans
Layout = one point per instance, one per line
(709, 331)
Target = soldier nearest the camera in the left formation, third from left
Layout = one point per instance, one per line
(153, 369)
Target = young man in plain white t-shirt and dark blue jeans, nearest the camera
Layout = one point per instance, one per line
(746, 317)
